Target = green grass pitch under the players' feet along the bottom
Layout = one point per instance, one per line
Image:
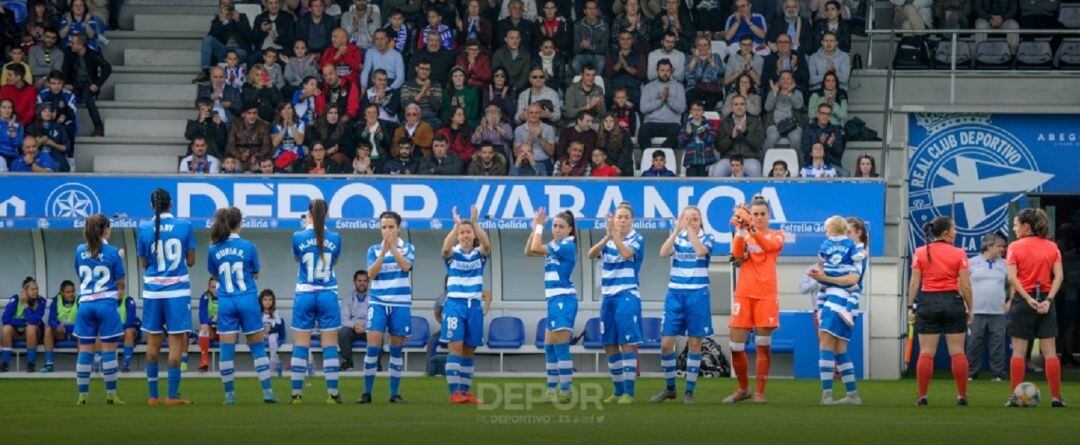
(44, 412)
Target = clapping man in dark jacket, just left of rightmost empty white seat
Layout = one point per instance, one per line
(740, 134)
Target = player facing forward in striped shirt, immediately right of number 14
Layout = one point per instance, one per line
(389, 265)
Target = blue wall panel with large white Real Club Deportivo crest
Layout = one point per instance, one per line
(971, 167)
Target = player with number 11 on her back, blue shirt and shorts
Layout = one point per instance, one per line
(235, 263)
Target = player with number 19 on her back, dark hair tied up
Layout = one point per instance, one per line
(167, 249)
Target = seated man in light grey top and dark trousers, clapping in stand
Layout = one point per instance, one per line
(664, 102)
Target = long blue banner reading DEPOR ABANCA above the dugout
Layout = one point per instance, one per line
(800, 207)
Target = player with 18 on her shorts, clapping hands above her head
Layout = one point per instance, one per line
(466, 251)
